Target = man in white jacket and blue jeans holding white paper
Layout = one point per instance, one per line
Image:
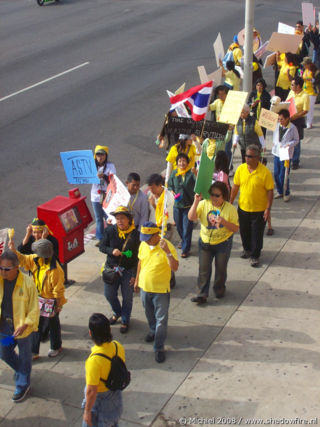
(285, 137)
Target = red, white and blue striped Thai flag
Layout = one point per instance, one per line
(197, 99)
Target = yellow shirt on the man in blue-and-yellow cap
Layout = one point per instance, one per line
(155, 271)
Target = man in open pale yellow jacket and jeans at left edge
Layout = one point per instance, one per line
(19, 310)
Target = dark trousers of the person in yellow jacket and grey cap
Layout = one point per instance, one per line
(55, 333)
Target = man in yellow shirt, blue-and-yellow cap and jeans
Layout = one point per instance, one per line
(157, 258)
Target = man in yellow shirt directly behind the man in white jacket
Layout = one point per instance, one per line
(302, 103)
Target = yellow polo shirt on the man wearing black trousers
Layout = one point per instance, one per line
(253, 187)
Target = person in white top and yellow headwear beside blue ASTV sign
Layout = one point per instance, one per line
(98, 191)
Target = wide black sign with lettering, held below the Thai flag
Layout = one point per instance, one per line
(188, 126)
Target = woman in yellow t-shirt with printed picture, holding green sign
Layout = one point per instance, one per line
(219, 220)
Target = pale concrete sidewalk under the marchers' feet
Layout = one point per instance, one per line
(253, 355)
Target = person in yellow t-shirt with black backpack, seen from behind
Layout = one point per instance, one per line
(101, 405)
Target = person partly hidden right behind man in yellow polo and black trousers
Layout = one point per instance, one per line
(247, 132)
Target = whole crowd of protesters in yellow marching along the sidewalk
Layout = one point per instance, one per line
(139, 245)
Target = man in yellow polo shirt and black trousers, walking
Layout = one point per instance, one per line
(256, 195)
